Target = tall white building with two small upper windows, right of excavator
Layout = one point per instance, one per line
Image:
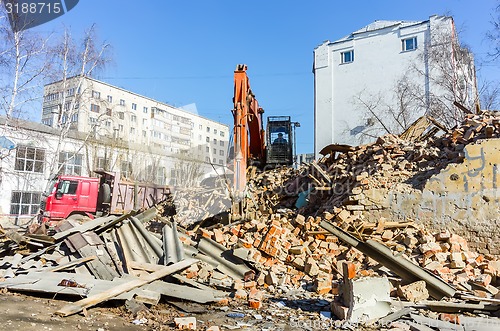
(382, 77)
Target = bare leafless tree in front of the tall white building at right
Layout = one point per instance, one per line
(442, 74)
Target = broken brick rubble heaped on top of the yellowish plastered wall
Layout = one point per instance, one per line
(393, 163)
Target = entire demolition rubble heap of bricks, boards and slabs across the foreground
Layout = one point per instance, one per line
(306, 236)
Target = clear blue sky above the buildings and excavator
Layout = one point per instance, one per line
(183, 52)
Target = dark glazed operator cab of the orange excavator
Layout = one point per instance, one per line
(279, 138)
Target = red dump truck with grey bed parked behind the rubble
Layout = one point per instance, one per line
(75, 197)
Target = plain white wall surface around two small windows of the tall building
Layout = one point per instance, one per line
(378, 63)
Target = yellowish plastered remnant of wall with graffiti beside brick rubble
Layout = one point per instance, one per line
(463, 198)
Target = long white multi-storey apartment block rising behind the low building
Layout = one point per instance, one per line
(103, 110)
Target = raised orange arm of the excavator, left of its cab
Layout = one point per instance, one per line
(249, 135)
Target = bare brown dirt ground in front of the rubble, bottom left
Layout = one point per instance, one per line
(34, 313)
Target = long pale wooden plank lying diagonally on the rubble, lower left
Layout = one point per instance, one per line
(78, 306)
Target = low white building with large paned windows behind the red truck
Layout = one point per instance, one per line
(32, 153)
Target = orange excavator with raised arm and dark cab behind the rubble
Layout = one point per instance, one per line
(254, 146)
